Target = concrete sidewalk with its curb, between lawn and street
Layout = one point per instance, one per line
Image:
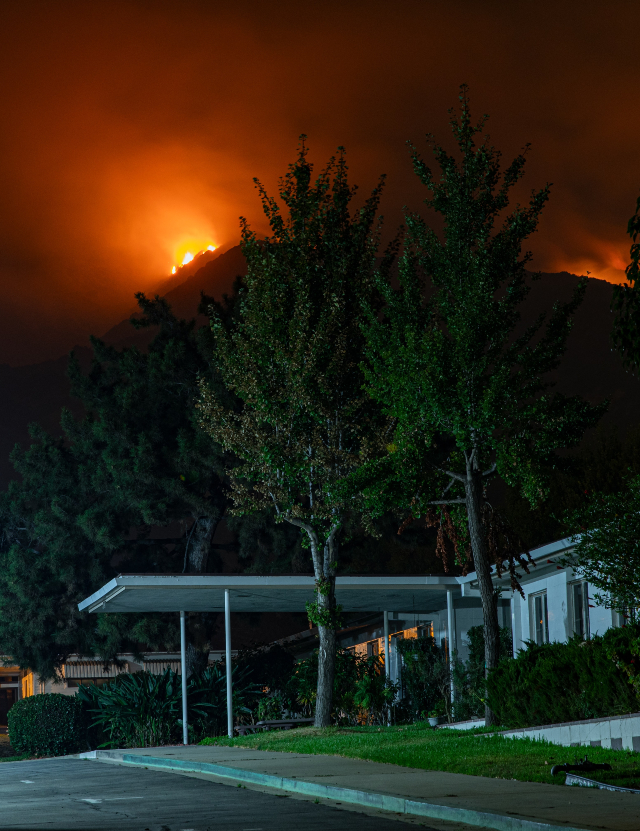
(505, 805)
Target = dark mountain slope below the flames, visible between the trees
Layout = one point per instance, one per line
(590, 367)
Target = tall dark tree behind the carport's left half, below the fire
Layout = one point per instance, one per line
(152, 459)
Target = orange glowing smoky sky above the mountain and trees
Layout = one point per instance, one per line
(130, 131)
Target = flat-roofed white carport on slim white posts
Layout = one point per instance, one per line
(182, 593)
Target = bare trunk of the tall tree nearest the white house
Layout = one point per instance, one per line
(474, 500)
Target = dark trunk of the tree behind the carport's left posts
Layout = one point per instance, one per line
(200, 626)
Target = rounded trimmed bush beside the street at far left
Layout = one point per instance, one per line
(49, 724)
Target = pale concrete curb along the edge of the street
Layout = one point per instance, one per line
(367, 799)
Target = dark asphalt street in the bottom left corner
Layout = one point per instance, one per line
(69, 794)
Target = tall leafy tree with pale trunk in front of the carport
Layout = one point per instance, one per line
(305, 426)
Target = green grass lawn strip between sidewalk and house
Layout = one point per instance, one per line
(471, 752)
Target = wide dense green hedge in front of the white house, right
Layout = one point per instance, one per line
(560, 682)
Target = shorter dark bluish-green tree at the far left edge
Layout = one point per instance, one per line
(55, 549)
